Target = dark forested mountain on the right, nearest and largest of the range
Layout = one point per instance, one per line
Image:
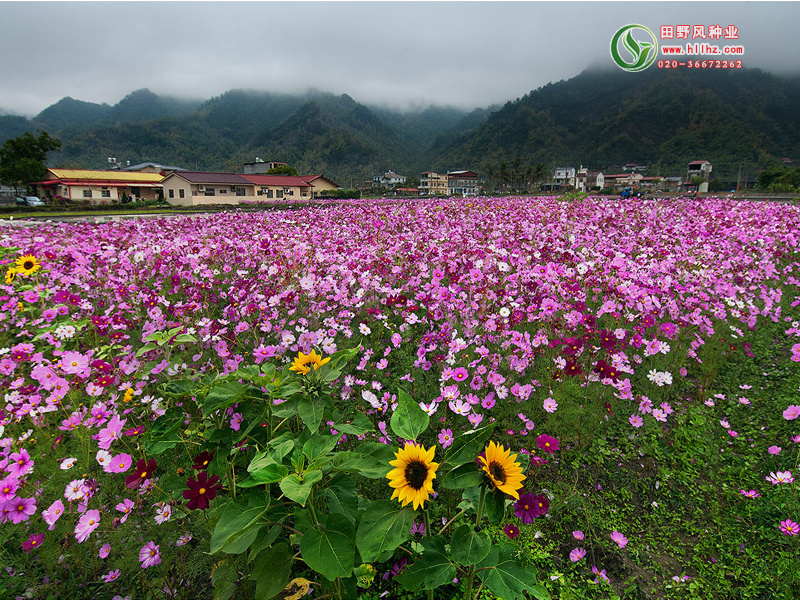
(605, 119)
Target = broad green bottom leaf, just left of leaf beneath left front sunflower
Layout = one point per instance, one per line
(330, 549)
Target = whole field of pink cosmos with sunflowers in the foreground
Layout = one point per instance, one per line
(471, 398)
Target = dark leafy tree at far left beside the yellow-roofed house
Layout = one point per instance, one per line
(23, 159)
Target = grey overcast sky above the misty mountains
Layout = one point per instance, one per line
(402, 54)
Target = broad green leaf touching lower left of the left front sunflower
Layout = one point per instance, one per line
(383, 527)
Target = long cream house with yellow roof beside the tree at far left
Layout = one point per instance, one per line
(99, 187)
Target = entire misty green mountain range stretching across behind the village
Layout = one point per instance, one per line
(736, 118)
